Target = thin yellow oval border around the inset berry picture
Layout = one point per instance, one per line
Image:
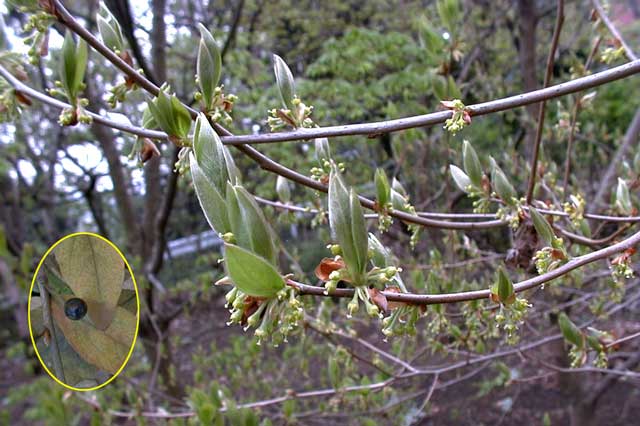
(135, 336)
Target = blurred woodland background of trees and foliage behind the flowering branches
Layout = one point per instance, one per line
(355, 61)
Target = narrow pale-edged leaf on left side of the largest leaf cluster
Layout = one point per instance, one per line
(212, 203)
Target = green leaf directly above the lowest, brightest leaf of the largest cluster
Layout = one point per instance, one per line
(248, 224)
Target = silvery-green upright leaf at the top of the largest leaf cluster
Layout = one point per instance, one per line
(209, 153)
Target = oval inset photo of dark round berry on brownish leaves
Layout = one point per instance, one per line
(83, 311)
